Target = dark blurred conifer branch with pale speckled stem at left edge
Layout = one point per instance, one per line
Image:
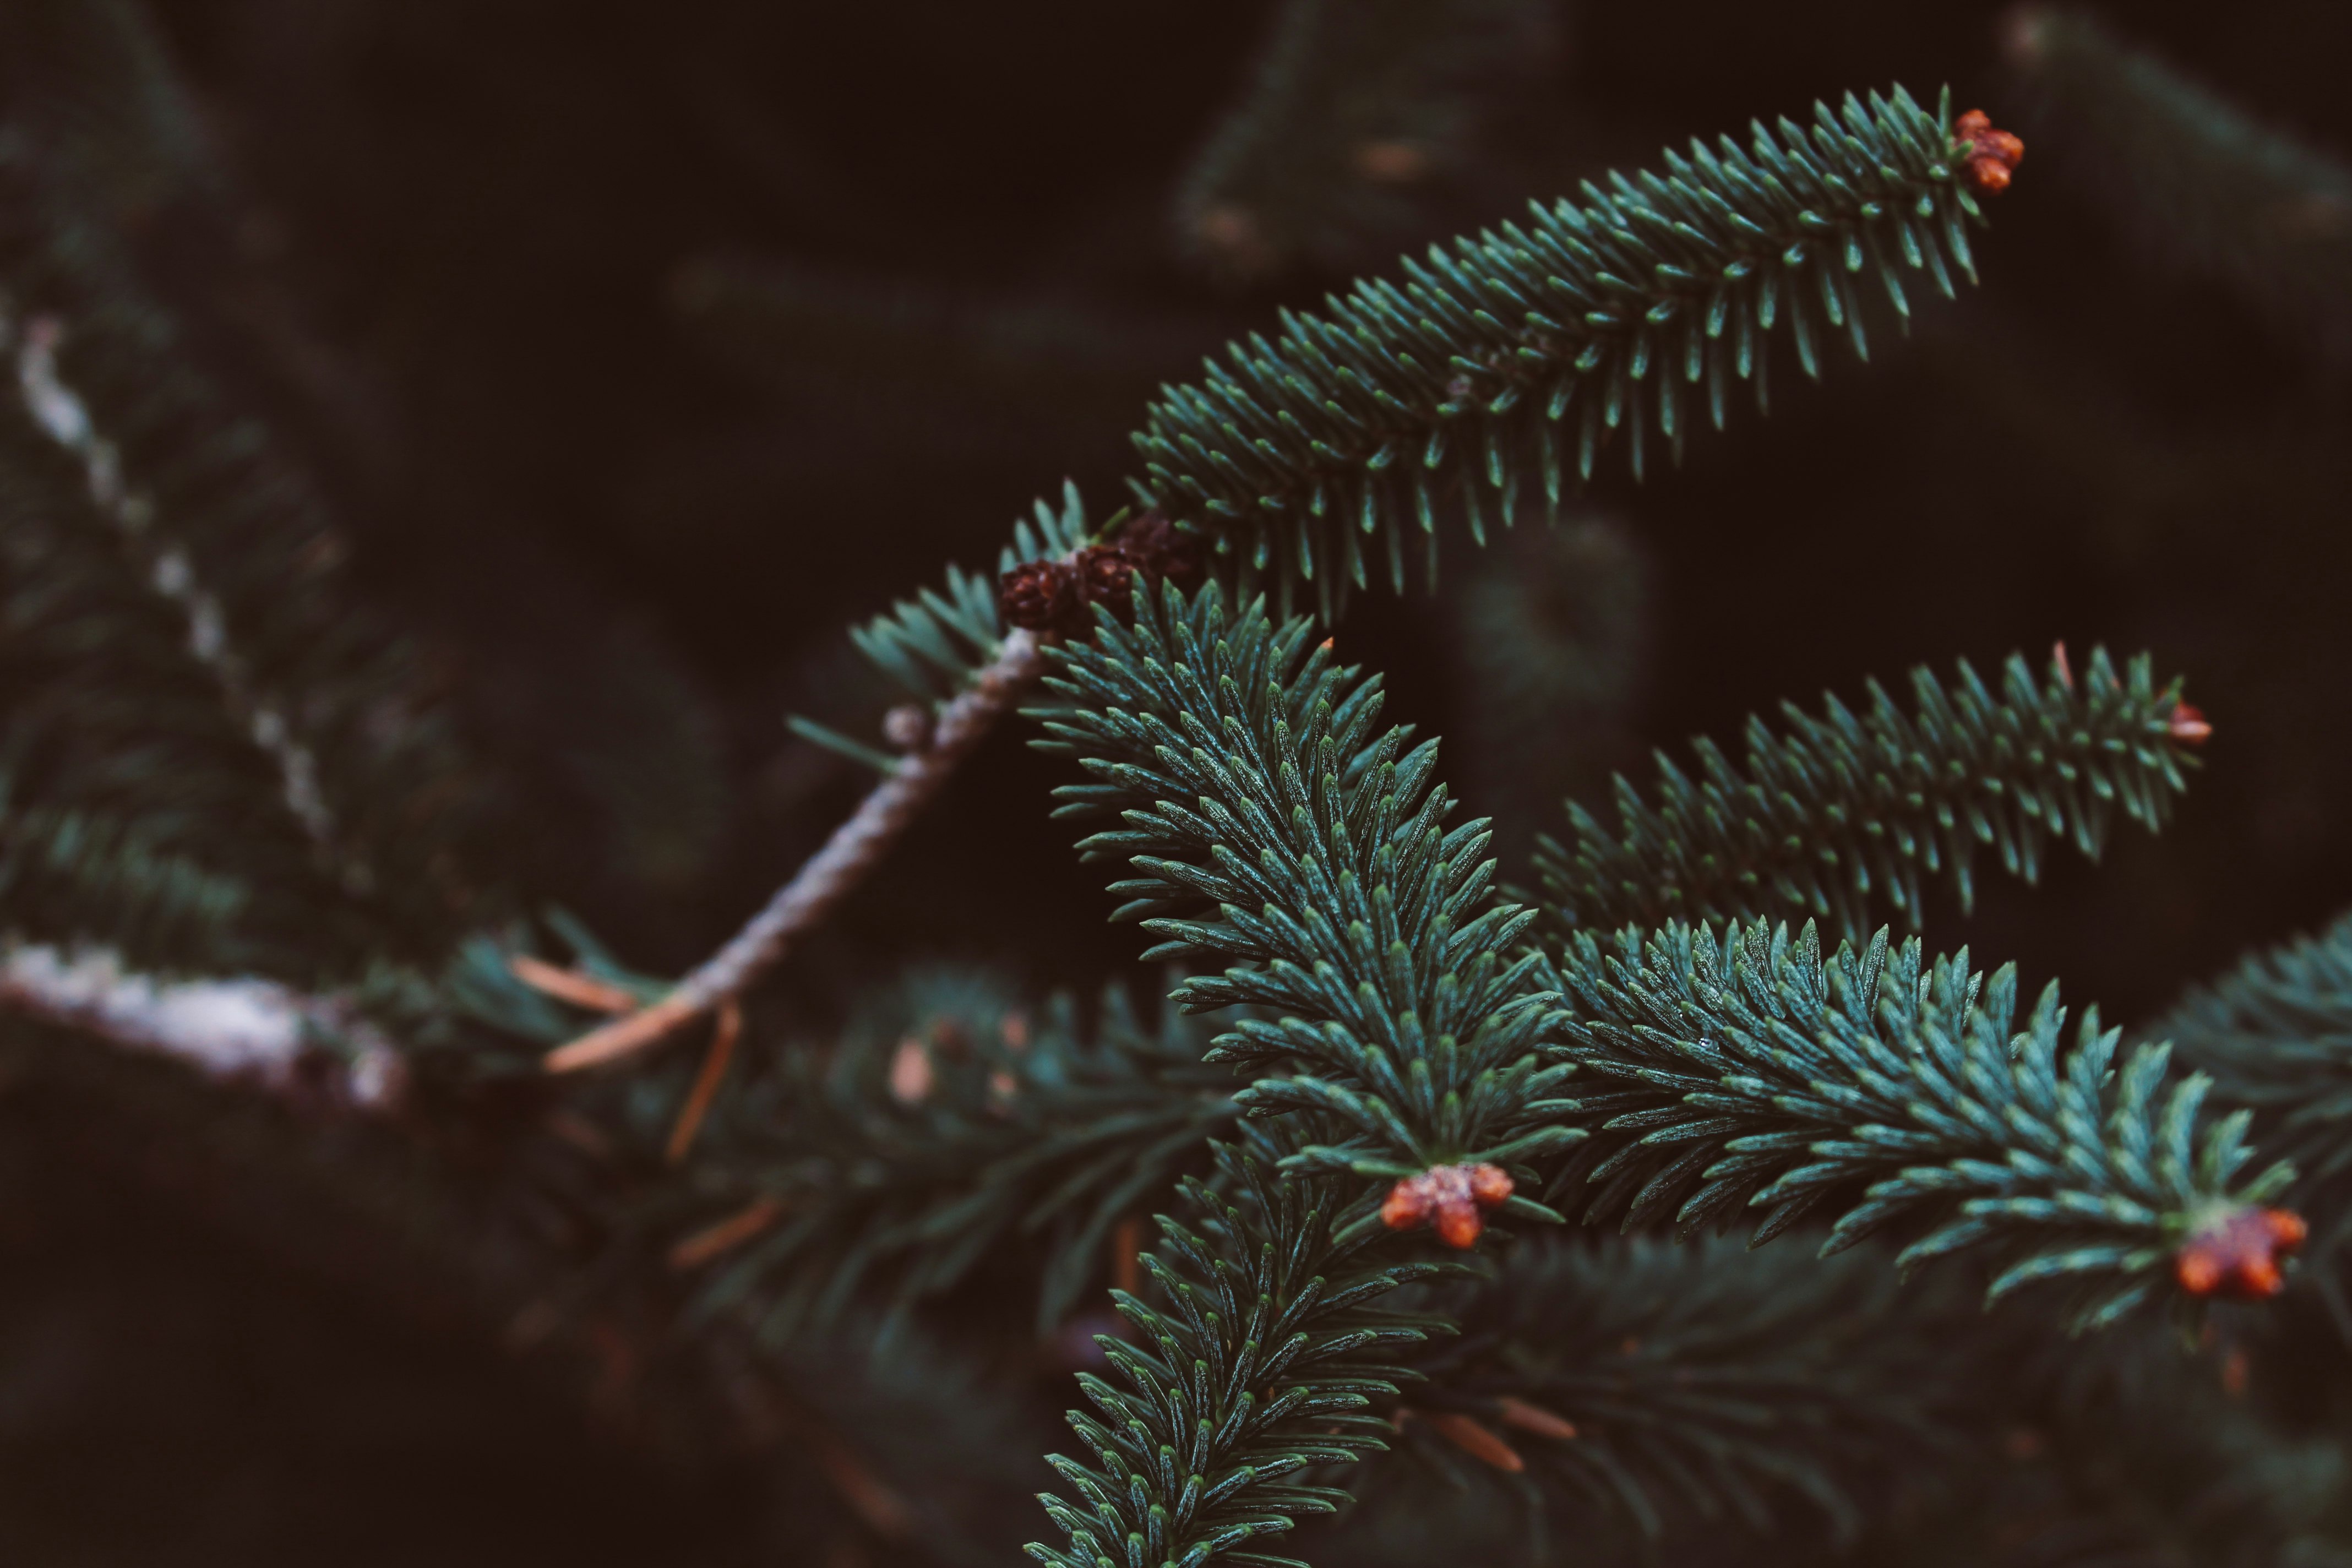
(211, 753)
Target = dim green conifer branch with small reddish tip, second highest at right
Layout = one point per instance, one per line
(1850, 810)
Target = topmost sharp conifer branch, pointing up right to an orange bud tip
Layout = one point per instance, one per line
(1464, 377)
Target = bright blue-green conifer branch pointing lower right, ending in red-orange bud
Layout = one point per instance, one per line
(1744, 1071)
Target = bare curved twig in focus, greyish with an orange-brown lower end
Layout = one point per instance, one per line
(831, 873)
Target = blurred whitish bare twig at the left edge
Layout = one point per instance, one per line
(236, 1031)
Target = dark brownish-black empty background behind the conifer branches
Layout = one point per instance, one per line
(507, 274)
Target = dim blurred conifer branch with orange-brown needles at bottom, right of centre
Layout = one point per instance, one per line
(1638, 1379)
